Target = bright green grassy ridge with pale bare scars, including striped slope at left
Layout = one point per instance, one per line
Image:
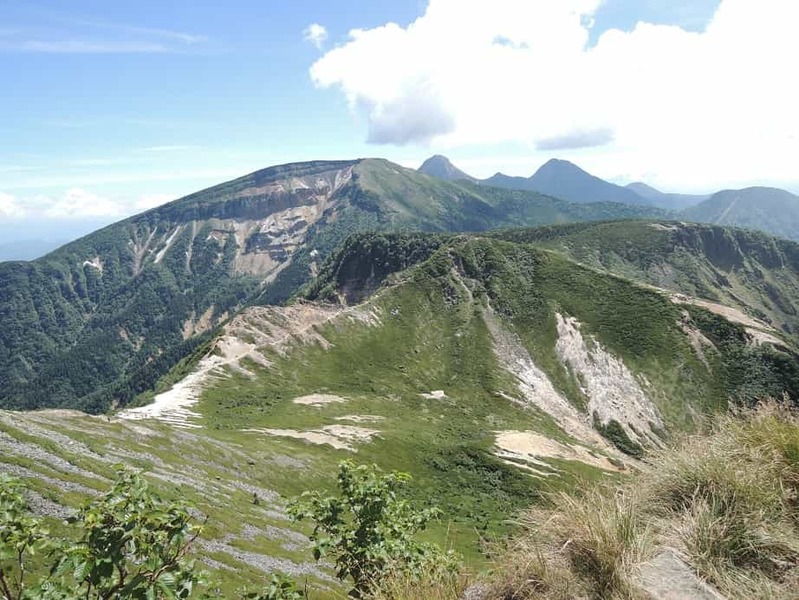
(492, 371)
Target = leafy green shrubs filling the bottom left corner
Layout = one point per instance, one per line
(130, 544)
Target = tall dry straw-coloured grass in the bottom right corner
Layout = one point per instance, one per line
(726, 498)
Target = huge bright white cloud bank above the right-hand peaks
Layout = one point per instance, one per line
(680, 107)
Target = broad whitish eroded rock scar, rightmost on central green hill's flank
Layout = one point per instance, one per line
(612, 391)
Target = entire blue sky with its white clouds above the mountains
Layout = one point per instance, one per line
(118, 108)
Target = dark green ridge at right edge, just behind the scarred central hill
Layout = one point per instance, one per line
(746, 269)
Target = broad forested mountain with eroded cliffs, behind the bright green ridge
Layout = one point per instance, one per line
(99, 320)
